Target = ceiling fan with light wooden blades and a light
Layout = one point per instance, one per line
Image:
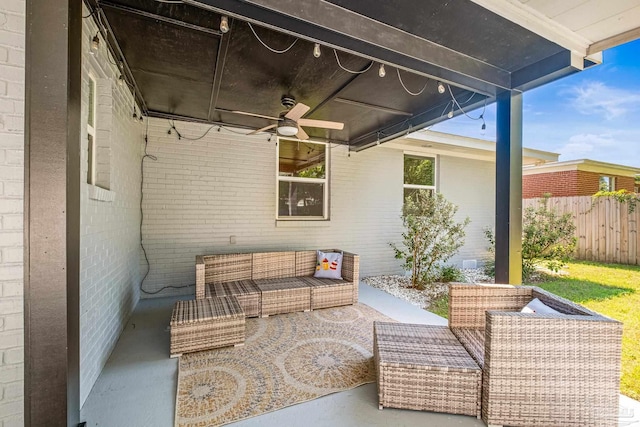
(290, 121)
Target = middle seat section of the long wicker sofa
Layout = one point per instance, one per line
(286, 295)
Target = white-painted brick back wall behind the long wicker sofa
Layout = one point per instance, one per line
(199, 193)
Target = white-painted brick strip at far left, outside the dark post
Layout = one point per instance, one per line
(12, 44)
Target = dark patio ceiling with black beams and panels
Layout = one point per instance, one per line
(184, 67)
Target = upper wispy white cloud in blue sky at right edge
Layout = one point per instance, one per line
(597, 98)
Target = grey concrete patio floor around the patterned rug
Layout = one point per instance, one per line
(138, 384)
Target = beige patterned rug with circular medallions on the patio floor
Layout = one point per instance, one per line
(287, 359)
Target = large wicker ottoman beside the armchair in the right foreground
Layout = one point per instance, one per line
(425, 368)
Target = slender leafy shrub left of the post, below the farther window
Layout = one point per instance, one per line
(431, 235)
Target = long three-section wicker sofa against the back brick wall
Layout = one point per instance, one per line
(267, 283)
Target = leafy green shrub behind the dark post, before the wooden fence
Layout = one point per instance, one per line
(547, 239)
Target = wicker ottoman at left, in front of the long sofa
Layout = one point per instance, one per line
(206, 323)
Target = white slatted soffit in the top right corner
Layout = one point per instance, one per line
(586, 27)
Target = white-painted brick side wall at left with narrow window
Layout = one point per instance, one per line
(109, 243)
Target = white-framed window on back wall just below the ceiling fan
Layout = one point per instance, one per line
(302, 180)
